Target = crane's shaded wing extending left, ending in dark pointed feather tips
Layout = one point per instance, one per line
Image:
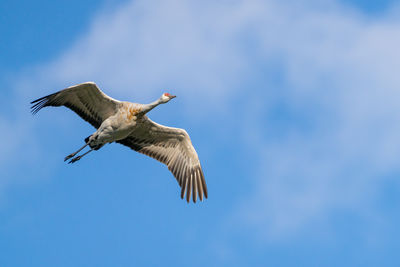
(86, 99)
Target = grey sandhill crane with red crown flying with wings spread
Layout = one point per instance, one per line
(126, 123)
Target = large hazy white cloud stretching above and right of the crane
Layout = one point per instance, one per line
(333, 70)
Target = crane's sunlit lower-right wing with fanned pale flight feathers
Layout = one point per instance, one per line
(171, 146)
